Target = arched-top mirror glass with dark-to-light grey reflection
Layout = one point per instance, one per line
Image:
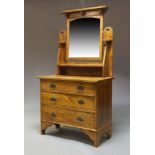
(84, 38)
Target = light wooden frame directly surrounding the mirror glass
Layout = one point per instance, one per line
(100, 43)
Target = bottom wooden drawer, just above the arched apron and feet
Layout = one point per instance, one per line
(68, 117)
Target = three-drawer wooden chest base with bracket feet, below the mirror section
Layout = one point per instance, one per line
(81, 102)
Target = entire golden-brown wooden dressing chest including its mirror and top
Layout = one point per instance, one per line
(80, 94)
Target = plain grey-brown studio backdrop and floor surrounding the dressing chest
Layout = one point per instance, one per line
(43, 21)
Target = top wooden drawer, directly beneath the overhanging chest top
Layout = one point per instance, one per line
(68, 87)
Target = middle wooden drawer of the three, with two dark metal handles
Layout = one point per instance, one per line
(68, 100)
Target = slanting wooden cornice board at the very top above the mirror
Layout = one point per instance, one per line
(84, 9)
